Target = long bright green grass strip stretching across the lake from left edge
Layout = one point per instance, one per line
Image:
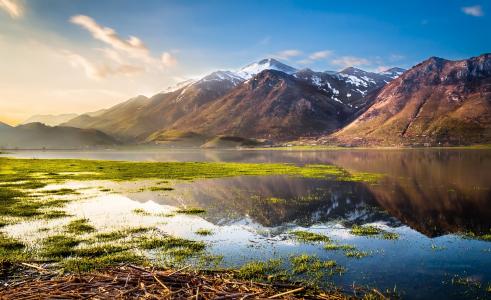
(14, 170)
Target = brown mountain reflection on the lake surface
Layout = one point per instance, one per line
(434, 191)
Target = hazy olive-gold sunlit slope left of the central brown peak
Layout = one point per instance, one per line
(139, 117)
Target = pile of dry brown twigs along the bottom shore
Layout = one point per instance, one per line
(132, 282)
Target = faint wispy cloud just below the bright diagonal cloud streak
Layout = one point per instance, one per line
(100, 71)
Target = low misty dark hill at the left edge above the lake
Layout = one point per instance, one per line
(39, 136)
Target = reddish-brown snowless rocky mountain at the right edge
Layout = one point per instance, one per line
(436, 102)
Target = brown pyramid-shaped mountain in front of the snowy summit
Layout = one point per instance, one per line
(271, 105)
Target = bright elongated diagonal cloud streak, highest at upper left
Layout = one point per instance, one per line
(132, 46)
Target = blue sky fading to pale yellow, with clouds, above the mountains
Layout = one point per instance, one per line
(76, 56)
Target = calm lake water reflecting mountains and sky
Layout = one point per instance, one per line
(428, 197)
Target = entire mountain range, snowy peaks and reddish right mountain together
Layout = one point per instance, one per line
(435, 102)
